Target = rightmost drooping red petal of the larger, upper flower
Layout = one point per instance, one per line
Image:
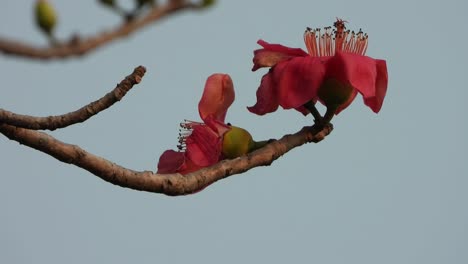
(367, 75)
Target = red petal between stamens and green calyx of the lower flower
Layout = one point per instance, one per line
(203, 146)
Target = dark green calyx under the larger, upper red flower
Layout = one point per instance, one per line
(334, 94)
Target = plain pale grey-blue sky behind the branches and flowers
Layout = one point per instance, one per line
(386, 188)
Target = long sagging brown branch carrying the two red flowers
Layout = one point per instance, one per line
(169, 184)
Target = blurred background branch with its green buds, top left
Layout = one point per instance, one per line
(78, 45)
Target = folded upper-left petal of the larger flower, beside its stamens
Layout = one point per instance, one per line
(271, 54)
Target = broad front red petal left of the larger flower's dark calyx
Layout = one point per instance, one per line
(298, 80)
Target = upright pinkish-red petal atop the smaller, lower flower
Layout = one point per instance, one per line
(217, 96)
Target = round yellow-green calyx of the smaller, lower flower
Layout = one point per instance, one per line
(237, 142)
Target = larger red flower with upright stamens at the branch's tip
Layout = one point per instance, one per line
(333, 71)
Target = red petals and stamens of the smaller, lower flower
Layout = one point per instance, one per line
(200, 143)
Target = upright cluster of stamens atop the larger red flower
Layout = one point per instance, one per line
(333, 40)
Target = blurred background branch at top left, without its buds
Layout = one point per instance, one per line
(77, 46)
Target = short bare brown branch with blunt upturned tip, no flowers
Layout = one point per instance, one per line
(78, 116)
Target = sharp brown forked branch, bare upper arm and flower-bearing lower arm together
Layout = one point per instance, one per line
(169, 184)
